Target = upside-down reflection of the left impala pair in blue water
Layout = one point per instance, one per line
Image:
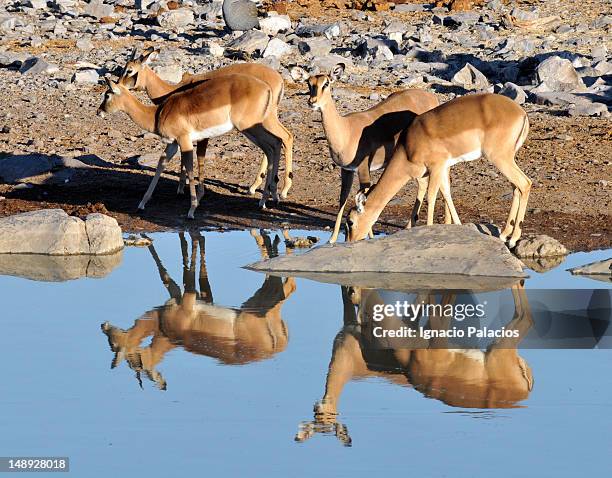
(253, 332)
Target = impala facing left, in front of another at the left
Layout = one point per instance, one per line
(203, 110)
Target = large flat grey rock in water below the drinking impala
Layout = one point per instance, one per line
(437, 249)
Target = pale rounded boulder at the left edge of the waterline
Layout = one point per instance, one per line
(53, 232)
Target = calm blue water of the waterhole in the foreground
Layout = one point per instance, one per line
(231, 409)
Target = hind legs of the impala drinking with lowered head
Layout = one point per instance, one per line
(519, 200)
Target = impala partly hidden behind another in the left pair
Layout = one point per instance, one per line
(137, 75)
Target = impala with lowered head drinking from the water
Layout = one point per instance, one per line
(461, 130)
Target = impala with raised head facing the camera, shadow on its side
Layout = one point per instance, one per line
(363, 141)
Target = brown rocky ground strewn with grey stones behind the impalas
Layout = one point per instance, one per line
(551, 56)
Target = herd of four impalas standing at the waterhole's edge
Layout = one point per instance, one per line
(409, 134)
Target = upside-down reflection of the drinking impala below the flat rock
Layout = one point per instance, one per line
(495, 378)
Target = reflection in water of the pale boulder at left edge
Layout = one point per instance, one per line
(58, 268)
